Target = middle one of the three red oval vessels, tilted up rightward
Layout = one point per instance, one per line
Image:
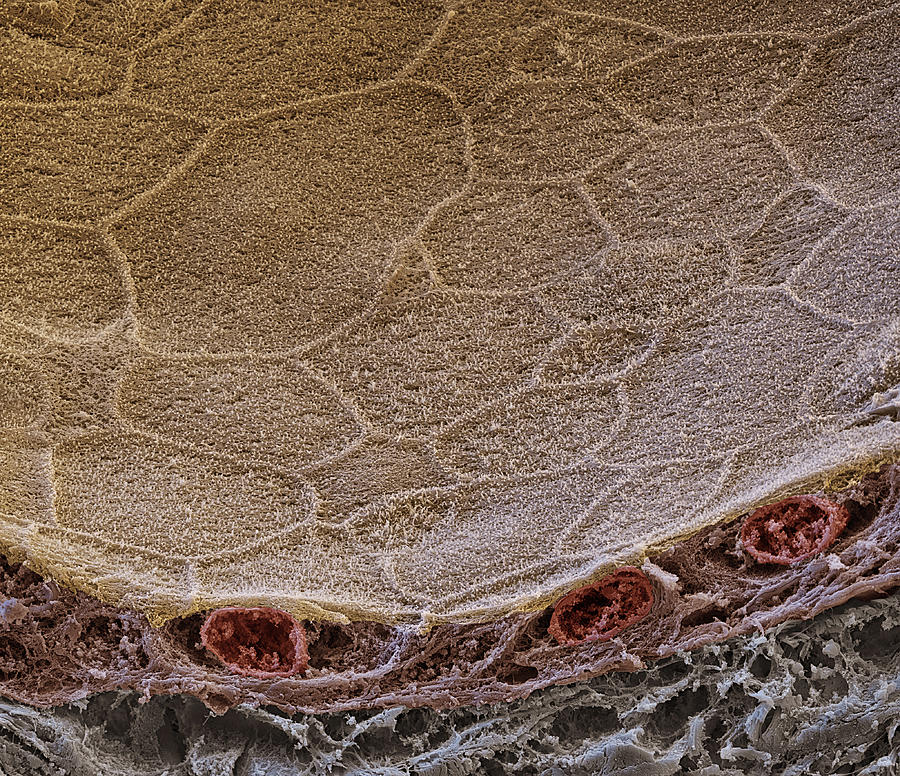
(603, 610)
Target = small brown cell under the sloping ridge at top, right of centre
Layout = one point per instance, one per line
(582, 47)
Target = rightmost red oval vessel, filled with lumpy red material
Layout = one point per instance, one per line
(793, 529)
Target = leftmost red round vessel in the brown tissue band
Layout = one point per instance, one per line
(257, 641)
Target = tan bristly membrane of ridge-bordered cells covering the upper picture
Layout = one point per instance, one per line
(428, 313)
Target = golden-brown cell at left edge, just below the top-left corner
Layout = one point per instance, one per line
(41, 69)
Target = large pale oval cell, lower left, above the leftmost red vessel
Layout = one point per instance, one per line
(144, 494)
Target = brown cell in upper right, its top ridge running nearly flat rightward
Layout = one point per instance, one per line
(723, 80)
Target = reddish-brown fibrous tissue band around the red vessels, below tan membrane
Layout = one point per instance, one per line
(57, 645)
